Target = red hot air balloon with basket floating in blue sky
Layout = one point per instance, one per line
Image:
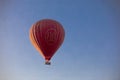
(47, 36)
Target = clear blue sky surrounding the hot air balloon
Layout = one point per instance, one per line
(90, 50)
